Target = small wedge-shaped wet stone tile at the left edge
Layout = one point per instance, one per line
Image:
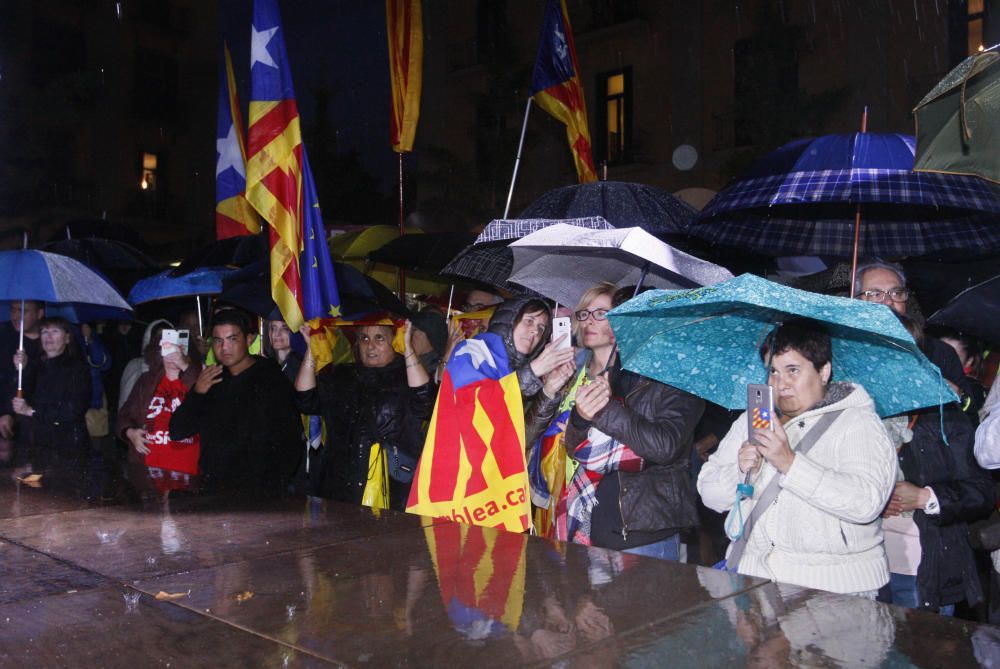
(28, 574)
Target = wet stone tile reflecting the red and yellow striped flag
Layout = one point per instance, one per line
(450, 595)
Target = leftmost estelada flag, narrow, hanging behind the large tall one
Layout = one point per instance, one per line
(233, 214)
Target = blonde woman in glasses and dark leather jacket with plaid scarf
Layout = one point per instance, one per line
(632, 439)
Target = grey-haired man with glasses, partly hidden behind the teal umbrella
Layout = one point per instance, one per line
(931, 563)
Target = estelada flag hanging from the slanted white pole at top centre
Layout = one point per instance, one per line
(556, 88)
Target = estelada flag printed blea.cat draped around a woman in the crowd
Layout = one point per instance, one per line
(472, 469)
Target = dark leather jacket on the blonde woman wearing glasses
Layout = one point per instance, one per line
(656, 421)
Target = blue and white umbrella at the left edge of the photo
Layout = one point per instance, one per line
(28, 274)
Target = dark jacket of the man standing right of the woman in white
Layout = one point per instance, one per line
(947, 572)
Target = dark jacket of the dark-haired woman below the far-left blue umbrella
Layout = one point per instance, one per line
(58, 389)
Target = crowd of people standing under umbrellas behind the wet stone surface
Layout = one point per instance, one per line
(844, 500)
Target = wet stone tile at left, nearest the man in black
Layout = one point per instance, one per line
(126, 543)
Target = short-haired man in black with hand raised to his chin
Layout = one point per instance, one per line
(244, 410)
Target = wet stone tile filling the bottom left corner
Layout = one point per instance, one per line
(105, 628)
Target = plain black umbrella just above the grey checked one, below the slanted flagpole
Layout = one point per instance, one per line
(622, 204)
